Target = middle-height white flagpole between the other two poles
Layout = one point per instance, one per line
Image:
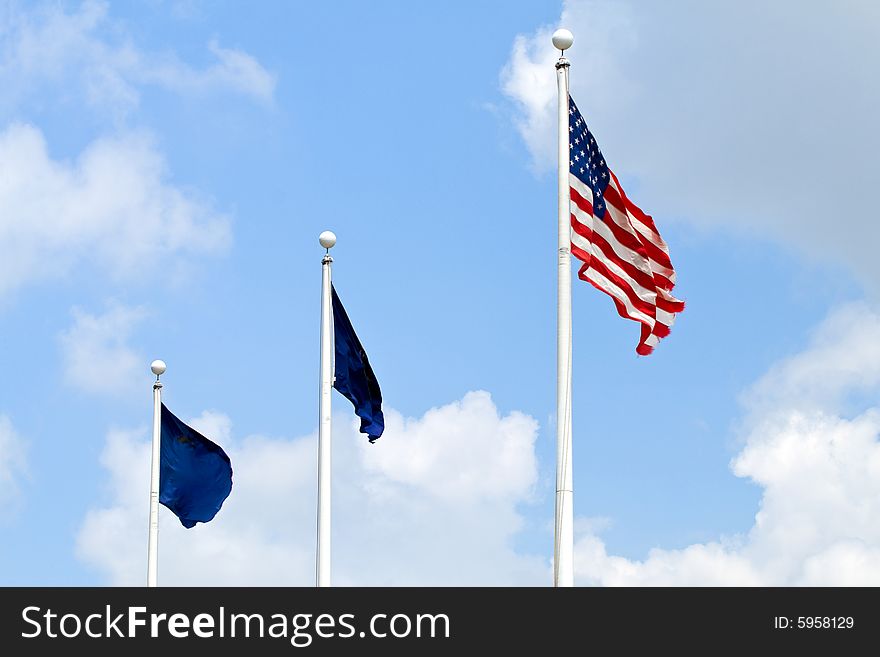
(322, 566)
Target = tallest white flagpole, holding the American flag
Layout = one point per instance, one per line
(563, 548)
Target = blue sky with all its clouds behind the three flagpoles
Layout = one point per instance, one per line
(166, 168)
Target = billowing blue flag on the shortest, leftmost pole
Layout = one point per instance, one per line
(195, 475)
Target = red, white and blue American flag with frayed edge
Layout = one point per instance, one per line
(623, 254)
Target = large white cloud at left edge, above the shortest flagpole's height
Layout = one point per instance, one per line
(112, 208)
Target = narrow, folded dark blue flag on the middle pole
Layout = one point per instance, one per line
(354, 376)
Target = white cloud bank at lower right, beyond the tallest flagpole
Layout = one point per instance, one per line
(818, 463)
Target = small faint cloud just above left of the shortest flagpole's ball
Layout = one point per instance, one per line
(96, 355)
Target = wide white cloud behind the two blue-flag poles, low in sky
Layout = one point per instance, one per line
(433, 502)
